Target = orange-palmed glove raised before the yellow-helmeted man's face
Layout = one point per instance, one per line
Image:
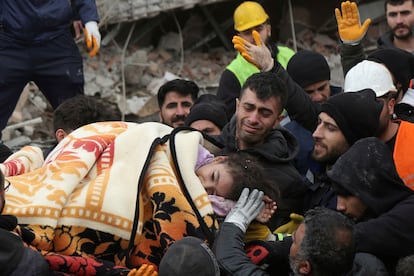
(257, 54)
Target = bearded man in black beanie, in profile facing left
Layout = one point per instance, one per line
(343, 119)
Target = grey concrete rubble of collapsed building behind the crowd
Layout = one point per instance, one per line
(137, 57)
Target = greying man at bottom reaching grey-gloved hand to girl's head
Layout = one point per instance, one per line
(324, 243)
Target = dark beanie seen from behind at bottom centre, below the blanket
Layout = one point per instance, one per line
(189, 256)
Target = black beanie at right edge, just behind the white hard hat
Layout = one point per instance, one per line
(399, 62)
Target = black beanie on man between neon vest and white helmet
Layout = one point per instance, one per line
(308, 67)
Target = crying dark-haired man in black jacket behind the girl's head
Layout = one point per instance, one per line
(255, 129)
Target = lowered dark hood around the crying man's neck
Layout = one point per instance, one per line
(279, 146)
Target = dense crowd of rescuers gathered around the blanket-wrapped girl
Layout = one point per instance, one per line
(303, 178)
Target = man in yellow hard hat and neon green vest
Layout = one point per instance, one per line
(252, 23)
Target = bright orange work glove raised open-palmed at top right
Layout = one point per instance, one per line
(349, 24)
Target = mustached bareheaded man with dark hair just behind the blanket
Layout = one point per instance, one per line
(175, 98)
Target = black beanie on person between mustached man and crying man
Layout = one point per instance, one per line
(210, 111)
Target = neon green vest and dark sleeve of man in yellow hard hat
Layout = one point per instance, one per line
(236, 73)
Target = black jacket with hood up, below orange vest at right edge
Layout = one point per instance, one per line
(367, 171)
